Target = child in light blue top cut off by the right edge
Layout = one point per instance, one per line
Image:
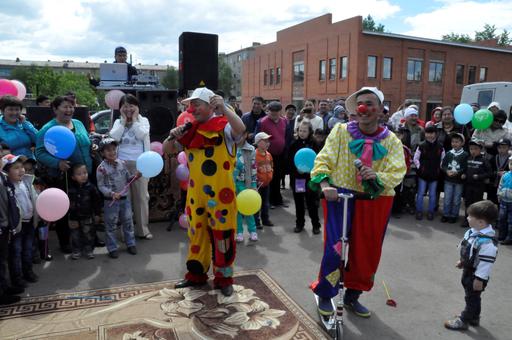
(505, 214)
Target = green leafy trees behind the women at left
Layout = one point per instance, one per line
(44, 80)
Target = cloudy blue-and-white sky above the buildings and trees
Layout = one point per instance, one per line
(90, 29)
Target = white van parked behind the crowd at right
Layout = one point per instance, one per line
(486, 93)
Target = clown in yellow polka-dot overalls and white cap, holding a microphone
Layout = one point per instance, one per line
(211, 201)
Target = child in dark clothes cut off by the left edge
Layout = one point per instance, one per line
(9, 218)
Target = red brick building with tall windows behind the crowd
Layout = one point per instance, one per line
(318, 59)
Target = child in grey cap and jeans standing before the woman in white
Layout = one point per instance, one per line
(113, 177)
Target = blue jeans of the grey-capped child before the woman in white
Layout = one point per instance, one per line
(120, 211)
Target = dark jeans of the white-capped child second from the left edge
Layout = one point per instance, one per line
(20, 251)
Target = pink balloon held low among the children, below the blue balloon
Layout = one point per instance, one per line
(52, 204)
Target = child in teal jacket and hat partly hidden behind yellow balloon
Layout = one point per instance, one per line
(245, 178)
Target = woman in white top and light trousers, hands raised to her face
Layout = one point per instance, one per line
(132, 133)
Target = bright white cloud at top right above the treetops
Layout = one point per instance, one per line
(461, 16)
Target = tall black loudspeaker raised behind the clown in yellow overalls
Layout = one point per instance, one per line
(198, 61)
